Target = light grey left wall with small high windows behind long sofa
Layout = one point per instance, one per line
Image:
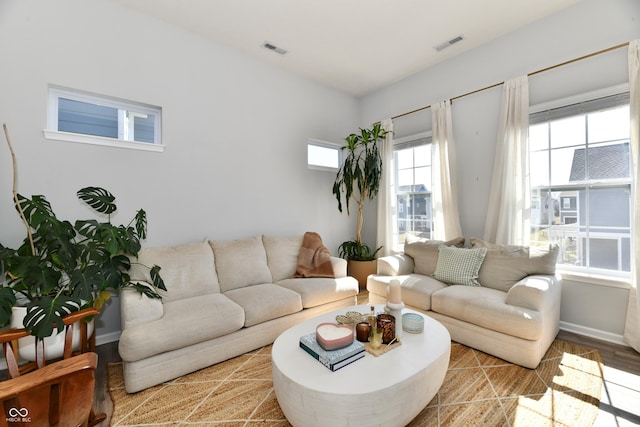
(235, 129)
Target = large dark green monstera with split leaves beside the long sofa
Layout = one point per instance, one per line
(62, 267)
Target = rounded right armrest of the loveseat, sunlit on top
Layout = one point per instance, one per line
(535, 292)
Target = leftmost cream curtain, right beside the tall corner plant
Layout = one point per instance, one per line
(387, 209)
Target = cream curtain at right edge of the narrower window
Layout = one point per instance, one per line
(443, 173)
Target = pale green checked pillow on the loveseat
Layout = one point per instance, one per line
(459, 266)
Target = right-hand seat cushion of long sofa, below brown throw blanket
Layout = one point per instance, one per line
(316, 291)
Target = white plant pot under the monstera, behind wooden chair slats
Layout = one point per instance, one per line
(53, 345)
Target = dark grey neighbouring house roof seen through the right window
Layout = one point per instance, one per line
(605, 162)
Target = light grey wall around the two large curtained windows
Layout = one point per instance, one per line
(590, 26)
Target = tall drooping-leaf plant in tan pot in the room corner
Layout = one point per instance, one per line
(358, 179)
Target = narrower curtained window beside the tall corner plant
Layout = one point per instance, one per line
(412, 163)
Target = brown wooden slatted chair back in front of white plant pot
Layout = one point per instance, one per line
(10, 346)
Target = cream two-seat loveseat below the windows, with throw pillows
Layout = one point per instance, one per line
(511, 309)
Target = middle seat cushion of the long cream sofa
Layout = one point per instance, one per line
(265, 302)
